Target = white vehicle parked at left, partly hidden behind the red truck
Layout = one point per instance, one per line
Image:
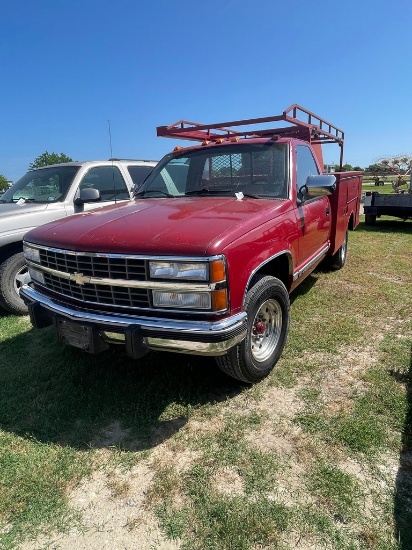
(46, 194)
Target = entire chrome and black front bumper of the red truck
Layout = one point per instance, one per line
(138, 333)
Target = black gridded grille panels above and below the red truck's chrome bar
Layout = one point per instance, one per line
(102, 266)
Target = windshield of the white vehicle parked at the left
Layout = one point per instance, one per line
(42, 185)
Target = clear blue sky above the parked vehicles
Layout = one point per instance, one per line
(69, 67)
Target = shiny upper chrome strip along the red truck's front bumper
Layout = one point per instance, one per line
(122, 321)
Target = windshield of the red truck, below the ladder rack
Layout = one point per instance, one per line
(256, 170)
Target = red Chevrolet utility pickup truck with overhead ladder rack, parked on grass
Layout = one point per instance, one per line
(204, 258)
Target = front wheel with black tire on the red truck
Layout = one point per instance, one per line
(268, 307)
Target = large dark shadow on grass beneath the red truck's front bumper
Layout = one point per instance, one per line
(57, 394)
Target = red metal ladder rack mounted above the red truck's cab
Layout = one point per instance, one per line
(305, 125)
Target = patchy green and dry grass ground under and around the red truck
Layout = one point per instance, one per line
(320, 451)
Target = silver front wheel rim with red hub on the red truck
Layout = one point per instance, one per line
(266, 329)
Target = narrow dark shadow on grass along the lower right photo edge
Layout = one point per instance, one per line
(403, 495)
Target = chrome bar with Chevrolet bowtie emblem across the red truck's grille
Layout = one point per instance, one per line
(81, 279)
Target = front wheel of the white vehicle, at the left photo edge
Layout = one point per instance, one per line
(13, 274)
